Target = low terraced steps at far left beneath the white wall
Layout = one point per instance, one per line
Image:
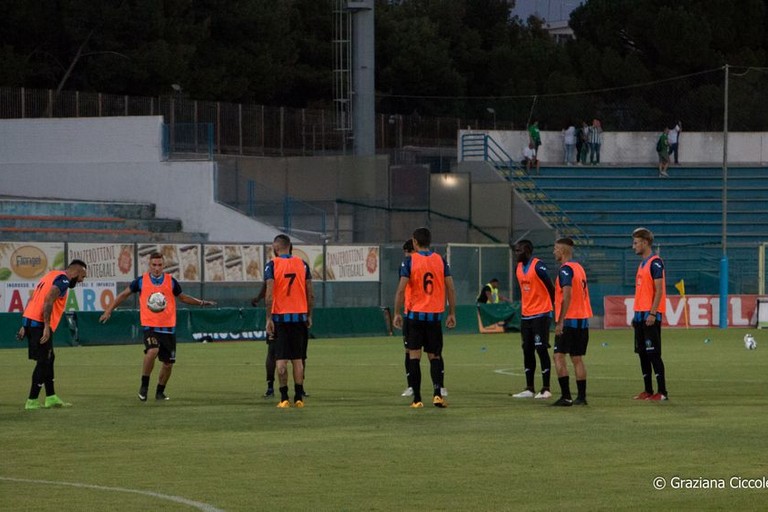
(41, 220)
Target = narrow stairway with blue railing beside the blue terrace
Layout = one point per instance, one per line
(482, 146)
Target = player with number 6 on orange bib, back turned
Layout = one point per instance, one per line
(425, 278)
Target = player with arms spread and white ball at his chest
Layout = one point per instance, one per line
(156, 288)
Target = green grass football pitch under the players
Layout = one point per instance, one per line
(217, 445)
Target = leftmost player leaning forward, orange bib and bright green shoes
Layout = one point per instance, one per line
(39, 322)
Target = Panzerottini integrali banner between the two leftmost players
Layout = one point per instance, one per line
(106, 262)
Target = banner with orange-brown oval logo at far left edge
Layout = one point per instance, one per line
(28, 261)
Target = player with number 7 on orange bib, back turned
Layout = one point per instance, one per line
(290, 300)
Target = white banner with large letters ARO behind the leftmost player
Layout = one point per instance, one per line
(87, 296)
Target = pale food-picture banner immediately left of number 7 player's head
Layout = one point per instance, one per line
(233, 263)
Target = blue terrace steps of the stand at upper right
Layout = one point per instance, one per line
(683, 210)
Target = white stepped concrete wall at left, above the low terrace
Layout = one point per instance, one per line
(117, 159)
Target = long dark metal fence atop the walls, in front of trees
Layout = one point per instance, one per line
(244, 129)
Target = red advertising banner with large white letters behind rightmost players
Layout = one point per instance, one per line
(688, 311)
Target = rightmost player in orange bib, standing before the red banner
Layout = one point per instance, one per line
(650, 306)
